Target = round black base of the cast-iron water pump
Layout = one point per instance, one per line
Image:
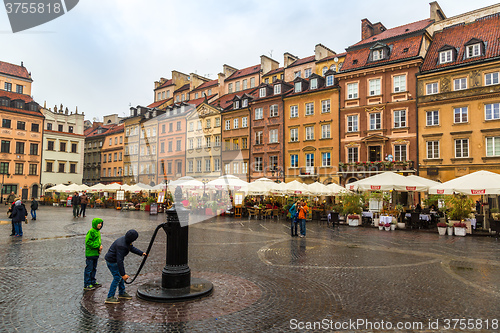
(153, 291)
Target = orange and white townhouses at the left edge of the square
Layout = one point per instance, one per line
(39, 147)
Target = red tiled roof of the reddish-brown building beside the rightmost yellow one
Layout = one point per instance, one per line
(358, 58)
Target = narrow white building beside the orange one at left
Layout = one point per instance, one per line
(63, 144)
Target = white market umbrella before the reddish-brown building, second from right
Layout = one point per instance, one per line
(387, 181)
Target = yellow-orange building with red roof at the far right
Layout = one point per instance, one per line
(459, 101)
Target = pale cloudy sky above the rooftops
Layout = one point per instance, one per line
(104, 56)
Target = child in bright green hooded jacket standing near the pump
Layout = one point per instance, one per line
(93, 248)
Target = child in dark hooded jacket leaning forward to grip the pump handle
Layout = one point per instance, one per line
(114, 259)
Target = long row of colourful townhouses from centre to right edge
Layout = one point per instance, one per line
(419, 98)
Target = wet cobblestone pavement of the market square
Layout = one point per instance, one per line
(263, 279)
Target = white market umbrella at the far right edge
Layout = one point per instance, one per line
(476, 183)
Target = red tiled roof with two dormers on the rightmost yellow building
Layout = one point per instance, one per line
(486, 29)
